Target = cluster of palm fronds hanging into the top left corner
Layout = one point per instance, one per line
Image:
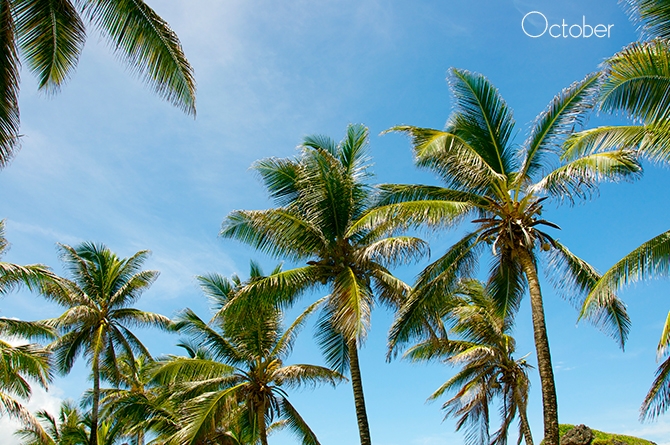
(49, 36)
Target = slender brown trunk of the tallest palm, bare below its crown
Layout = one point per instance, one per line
(549, 401)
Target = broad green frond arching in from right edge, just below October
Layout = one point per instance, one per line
(636, 79)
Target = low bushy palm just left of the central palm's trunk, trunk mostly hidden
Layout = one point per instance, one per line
(235, 381)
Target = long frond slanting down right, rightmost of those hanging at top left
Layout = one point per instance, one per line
(149, 46)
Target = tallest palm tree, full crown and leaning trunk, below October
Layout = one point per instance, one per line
(503, 188)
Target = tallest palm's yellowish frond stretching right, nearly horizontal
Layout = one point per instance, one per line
(581, 176)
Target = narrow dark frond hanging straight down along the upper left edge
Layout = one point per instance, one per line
(9, 86)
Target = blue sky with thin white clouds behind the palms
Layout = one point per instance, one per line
(105, 160)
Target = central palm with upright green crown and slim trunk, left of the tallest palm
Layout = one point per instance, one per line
(321, 195)
